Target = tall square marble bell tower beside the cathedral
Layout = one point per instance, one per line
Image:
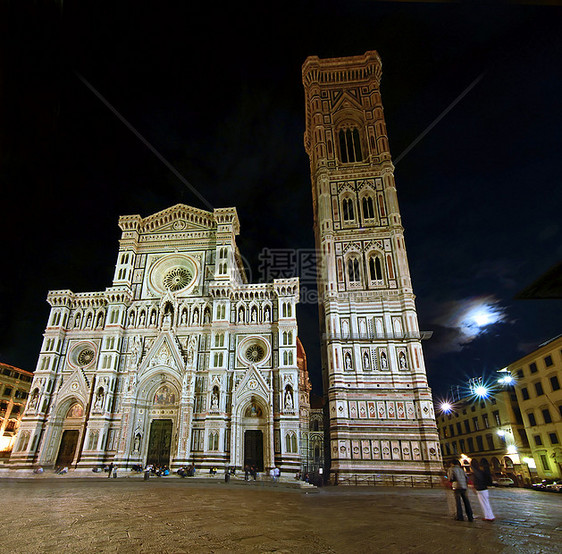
(381, 420)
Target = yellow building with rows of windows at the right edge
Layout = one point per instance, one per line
(539, 378)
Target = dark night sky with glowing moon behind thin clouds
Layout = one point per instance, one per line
(218, 93)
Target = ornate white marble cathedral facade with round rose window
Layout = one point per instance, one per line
(181, 361)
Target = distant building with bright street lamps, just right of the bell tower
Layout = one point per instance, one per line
(491, 430)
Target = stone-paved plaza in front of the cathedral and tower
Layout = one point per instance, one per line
(62, 514)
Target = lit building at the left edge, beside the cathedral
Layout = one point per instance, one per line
(14, 390)
